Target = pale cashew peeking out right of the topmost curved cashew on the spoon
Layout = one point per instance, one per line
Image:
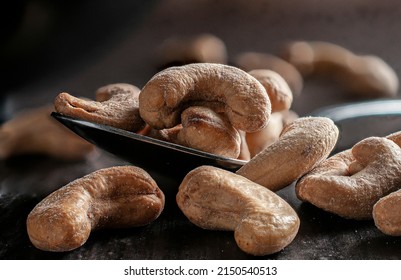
(279, 92)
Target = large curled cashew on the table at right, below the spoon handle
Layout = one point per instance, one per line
(350, 183)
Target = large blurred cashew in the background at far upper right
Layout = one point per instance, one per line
(363, 75)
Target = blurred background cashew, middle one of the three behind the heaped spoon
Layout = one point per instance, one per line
(254, 60)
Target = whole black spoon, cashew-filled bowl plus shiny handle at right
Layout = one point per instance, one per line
(356, 121)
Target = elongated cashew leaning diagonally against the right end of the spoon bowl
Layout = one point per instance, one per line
(302, 145)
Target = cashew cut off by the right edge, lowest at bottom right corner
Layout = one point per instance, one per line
(387, 214)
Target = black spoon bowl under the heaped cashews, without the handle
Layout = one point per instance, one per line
(153, 155)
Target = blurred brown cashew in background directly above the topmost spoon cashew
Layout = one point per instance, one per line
(200, 48)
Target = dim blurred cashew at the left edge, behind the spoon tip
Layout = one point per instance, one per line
(33, 131)
